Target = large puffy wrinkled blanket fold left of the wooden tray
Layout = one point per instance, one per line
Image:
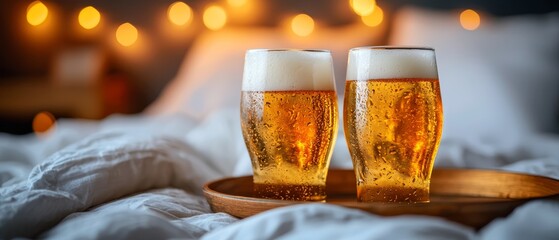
(95, 170)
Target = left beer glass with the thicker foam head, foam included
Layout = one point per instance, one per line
(289, 120)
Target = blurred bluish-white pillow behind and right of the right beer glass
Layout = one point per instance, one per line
(500, 81)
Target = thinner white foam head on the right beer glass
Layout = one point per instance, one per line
(368, 63)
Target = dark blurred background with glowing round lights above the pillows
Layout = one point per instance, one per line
(90, 59)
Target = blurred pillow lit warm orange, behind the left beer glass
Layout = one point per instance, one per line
(211, 74)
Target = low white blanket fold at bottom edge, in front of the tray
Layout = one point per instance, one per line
(325, 221)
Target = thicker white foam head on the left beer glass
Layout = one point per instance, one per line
(281, 70)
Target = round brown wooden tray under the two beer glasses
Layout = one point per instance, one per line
(467, 196)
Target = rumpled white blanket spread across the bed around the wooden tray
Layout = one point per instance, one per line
(141, 177)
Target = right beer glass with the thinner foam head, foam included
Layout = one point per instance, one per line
(393, 121)
